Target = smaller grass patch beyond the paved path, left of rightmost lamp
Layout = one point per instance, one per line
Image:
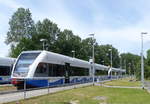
(124, 82)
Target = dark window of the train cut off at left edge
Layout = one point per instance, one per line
(5, 70)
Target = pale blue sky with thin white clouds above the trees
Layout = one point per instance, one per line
(116, 22)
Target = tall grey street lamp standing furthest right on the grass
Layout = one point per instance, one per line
(142, 60)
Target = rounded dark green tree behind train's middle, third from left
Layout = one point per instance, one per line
(67, 41)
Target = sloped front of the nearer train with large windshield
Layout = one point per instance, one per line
(22, 68)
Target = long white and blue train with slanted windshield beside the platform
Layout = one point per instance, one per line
(43, 68)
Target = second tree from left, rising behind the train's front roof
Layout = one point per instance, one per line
(49, 31)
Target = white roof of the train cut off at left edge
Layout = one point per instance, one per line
(6, 61)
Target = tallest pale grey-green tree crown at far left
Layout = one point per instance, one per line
(21, 26)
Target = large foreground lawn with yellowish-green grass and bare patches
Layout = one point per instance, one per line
(92, 95)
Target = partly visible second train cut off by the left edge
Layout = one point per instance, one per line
(6, 65)
